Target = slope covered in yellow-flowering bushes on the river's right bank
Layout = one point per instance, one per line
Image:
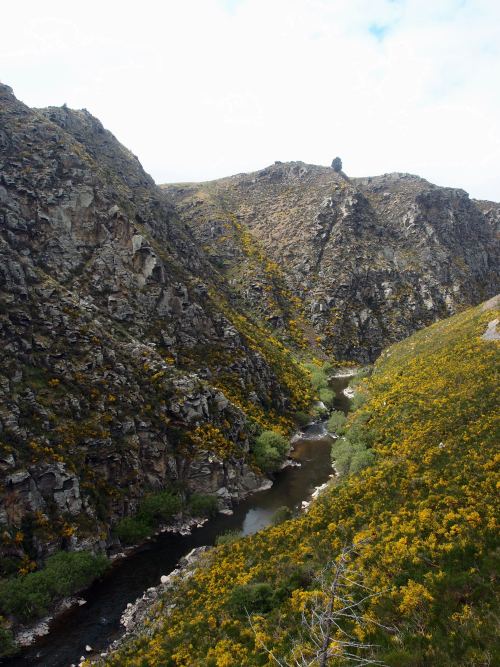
(425, 514)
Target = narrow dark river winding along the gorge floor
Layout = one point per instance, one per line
(97, 623)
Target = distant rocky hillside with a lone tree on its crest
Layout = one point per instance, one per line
(364, 261)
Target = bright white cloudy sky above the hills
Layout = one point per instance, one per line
(200, 89)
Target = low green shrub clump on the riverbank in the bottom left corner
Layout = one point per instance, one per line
(64, 573)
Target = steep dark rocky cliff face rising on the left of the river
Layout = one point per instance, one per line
(125, 366)
